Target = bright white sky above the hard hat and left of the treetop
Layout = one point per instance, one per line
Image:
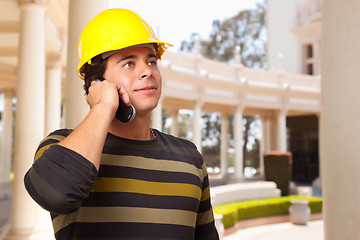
(176, 20)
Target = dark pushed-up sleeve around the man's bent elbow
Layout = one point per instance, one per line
(60, 179)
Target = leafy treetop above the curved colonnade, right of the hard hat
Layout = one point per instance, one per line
(246, 29)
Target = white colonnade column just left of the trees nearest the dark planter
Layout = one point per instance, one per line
(239, 141)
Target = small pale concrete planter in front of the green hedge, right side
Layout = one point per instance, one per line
(299, 211)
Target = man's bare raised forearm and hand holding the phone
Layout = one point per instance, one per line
(89, 137)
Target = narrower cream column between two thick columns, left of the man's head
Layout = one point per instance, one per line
(53, 94)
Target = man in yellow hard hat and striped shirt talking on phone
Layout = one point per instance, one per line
(107, 179)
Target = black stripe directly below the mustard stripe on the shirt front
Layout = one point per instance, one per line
(102, 199)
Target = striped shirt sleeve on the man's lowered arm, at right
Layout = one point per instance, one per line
(205, 224)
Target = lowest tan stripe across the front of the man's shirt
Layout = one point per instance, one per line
(126, 214)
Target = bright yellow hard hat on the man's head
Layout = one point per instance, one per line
(115, 29)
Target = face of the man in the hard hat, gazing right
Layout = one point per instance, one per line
(136, 70)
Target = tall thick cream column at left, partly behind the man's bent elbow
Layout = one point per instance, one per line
(29, 125)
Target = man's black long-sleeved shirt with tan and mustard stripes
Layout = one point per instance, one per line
(156, 189)
